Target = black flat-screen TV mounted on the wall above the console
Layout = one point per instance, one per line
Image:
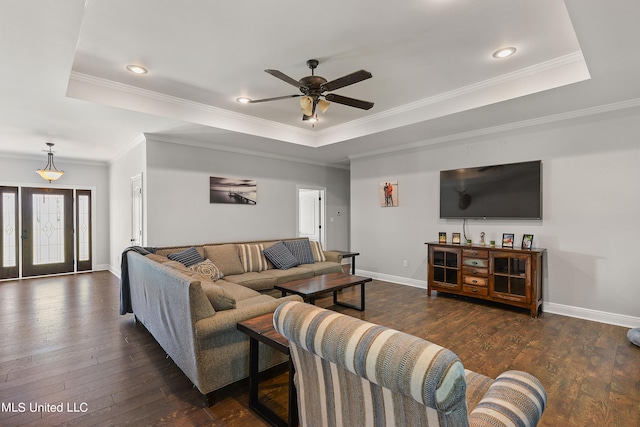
(510, 191)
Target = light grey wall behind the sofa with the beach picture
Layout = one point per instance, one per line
(179, 211)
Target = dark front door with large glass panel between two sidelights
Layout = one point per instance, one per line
(47, 231)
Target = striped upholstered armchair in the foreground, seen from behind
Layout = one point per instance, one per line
(354, 373)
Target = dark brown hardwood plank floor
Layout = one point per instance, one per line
(62, 340)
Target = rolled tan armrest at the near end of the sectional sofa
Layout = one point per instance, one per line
(223, 321)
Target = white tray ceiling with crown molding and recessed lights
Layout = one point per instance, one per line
(64, 76)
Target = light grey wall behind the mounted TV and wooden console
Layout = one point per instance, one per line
(591, 210)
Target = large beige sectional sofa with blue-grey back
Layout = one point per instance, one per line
(193, 315)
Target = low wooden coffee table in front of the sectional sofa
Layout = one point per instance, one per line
(310, 288)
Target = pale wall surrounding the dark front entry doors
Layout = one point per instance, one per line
(22, 172)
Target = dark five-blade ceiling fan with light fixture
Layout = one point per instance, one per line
(313, 90)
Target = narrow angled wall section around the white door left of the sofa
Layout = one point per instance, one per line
(121, 170)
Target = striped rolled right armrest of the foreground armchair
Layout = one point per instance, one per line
(516, 398)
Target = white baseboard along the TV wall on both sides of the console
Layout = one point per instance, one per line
(548, 307)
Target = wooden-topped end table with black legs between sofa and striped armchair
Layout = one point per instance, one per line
(260, 329)
